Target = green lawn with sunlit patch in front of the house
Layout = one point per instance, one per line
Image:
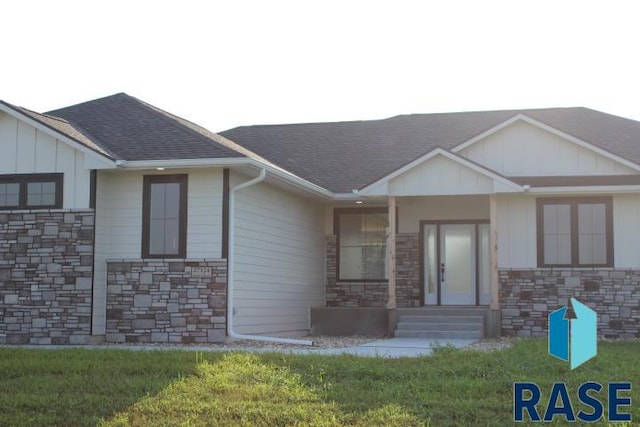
(453, 387)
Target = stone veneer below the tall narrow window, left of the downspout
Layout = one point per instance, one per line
(166, 301)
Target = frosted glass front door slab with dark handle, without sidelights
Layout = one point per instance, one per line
(458, 263)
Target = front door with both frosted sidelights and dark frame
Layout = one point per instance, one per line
(455, 263)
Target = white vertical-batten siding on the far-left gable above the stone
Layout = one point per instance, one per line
(25, 149)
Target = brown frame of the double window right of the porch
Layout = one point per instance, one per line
(574, 202)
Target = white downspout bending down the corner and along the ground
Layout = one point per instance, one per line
(231, 268)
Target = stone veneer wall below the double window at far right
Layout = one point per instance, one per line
(527, 297)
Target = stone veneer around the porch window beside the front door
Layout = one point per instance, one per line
(375, 294)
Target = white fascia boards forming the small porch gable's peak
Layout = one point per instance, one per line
(382, 184)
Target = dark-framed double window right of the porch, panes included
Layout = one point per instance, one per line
(575, 232)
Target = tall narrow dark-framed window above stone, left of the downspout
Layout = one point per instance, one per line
(164, 212)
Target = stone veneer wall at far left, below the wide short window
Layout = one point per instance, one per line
(46, 276)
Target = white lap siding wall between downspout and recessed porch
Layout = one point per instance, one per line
(279, 260)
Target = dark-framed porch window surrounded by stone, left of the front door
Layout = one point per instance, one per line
(361, 243)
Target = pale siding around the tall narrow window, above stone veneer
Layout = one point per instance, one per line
(119, 222)
